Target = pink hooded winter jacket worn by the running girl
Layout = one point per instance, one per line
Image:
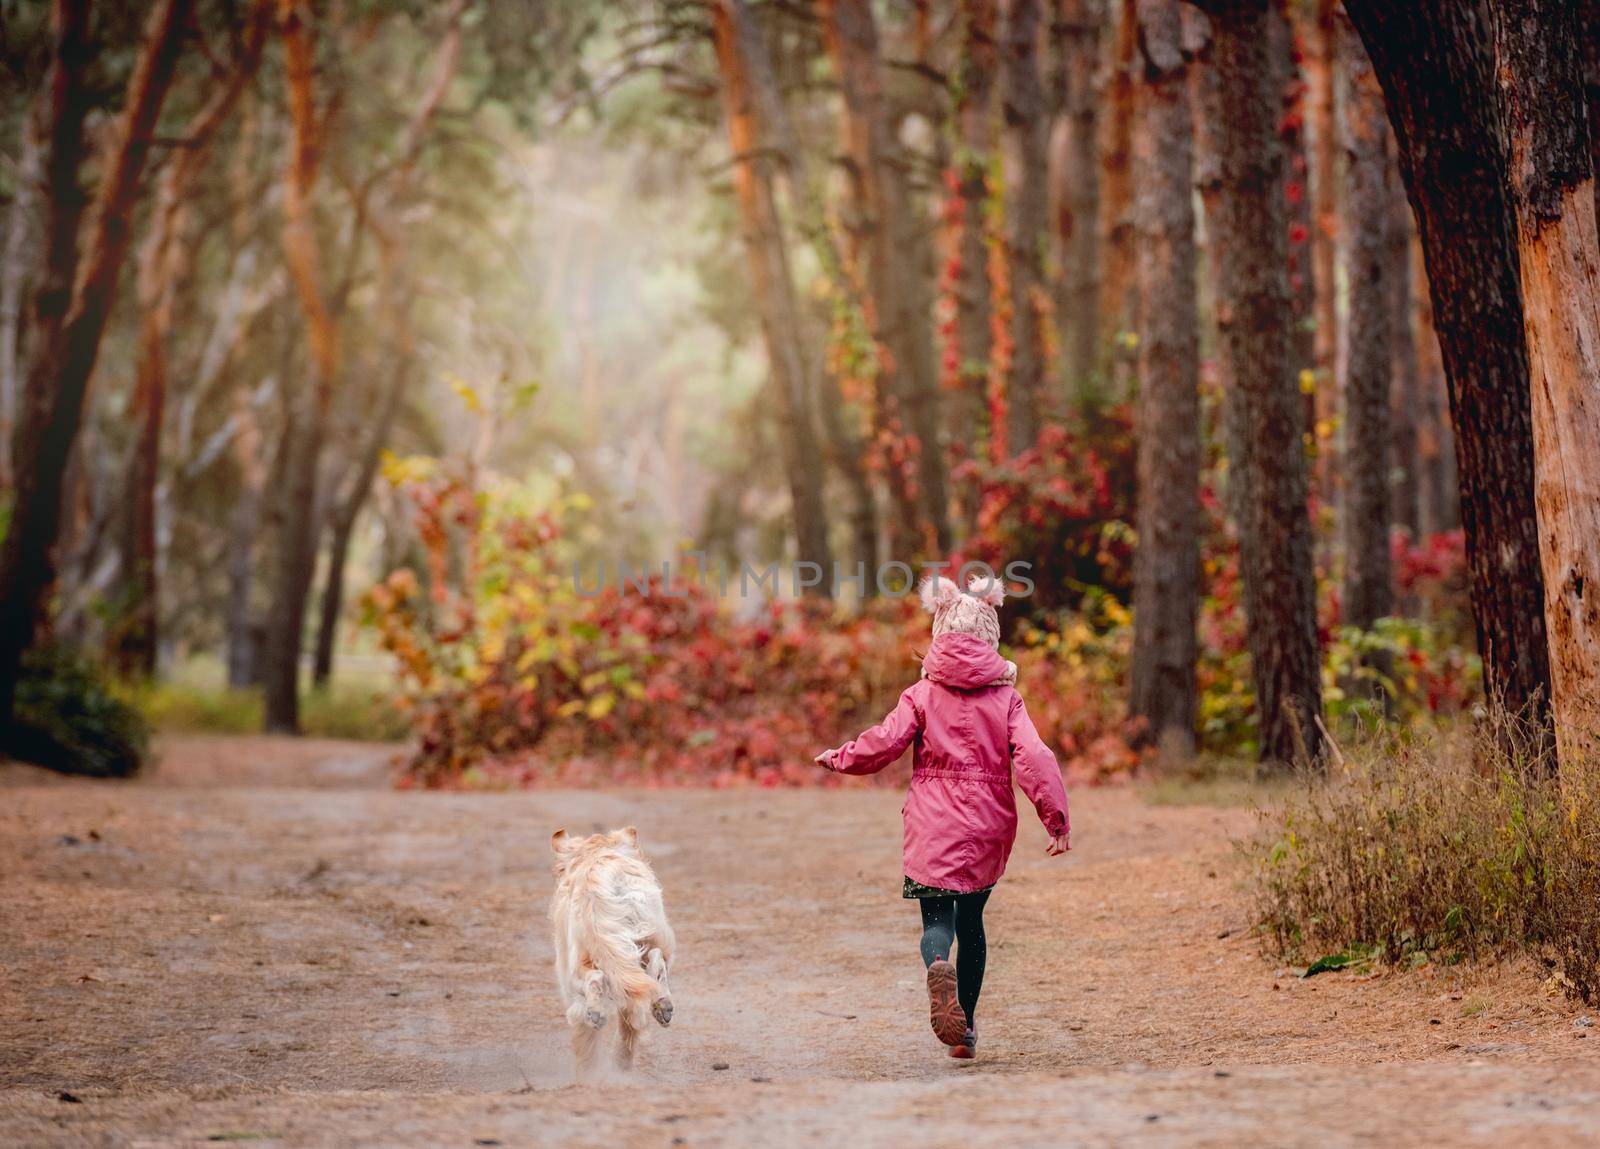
(961, 814)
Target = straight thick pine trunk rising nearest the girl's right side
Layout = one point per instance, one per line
(1167, 564)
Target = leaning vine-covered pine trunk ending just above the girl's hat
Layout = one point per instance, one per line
(889, 239)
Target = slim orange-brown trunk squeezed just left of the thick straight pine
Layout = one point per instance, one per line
(1118, 303)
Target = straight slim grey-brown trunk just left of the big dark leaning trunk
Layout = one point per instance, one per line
(1369, 354)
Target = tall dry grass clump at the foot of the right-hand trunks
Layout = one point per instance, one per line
(1439, 849)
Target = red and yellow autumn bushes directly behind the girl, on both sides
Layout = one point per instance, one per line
(513, 678)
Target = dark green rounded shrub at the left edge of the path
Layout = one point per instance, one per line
(68, 719)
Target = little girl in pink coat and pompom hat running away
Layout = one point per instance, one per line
(970, 727)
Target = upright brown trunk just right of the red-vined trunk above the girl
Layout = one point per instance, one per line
(1028, 209)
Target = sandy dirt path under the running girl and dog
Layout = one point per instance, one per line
(263, 942)
